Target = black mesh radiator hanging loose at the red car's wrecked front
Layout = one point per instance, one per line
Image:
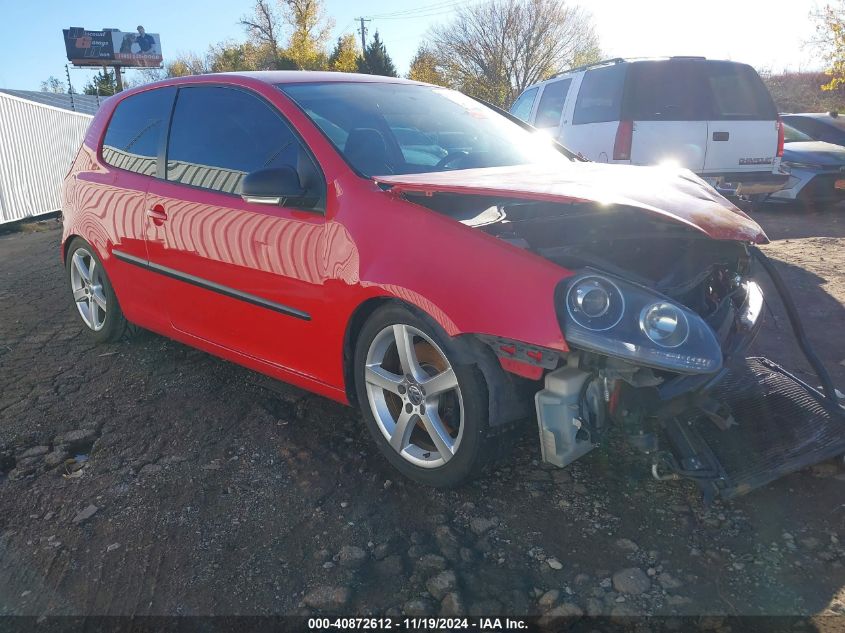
(778, 426)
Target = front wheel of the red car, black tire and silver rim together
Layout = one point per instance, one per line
(427, 413)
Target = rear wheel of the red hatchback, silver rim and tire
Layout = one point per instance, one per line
(92, 293)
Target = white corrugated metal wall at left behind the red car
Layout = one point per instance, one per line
(37, 144)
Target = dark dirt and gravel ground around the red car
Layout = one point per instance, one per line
(200, 487)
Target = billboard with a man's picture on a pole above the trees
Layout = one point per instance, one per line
(111, 47)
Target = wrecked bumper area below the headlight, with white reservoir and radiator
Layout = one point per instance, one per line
(730, 430)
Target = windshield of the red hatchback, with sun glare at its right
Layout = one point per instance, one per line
(389, 128)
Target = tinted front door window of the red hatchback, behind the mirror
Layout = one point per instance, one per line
(219, 135)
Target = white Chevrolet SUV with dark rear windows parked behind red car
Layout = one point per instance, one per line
(715, 118)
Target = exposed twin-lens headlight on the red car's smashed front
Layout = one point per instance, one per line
(619, 318)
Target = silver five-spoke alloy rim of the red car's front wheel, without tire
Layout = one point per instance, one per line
(414, 395)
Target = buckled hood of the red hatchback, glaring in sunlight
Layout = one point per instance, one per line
(674, 194)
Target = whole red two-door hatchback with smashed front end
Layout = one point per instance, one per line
(413, 251)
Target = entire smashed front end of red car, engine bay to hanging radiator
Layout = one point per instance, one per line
(659, 315)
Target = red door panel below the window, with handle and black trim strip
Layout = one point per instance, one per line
(245, 276)
